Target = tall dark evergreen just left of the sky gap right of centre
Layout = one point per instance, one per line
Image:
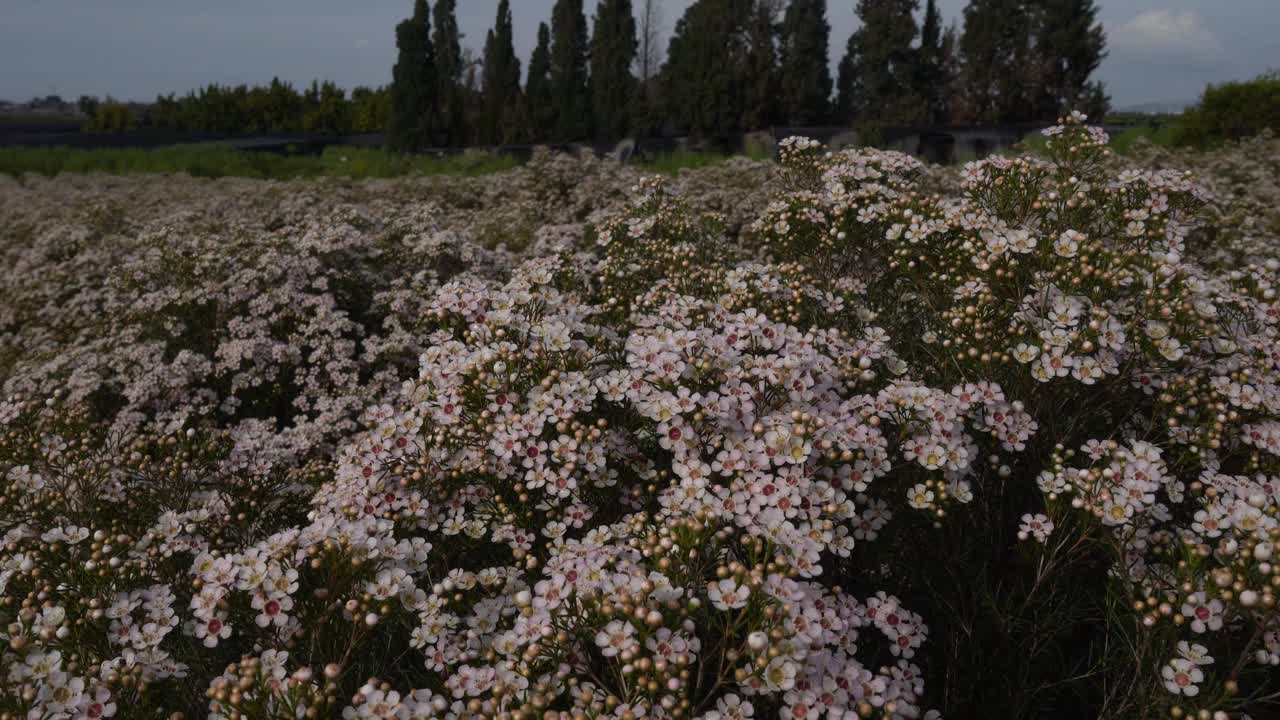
(806, 69)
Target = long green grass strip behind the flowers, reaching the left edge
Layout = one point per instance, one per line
(217, 161)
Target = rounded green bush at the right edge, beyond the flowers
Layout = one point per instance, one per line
(1231, 112)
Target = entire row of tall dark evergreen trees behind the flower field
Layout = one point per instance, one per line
(734, 66)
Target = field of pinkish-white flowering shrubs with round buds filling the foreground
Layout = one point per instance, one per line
(844, 438)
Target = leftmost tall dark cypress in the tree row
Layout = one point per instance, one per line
(414, 84)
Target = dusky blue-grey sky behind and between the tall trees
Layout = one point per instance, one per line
(1160, 51)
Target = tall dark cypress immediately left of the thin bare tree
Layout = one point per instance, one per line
(614, 88)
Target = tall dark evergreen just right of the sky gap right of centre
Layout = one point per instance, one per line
(890, 65)
